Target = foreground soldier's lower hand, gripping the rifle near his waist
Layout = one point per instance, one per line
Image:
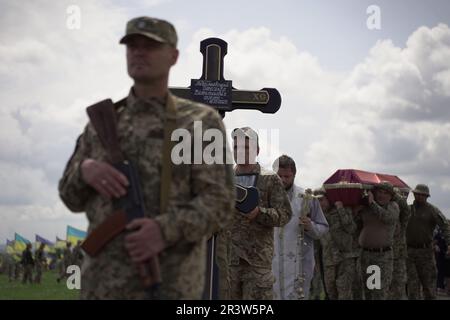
(146, 241)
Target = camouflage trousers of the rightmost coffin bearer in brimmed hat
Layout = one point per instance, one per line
(421, 270)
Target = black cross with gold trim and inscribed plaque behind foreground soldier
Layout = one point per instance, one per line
(214, 90)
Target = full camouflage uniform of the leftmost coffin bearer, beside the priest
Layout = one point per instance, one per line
(338, 255)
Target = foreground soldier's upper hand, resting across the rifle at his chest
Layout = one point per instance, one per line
(104, 178)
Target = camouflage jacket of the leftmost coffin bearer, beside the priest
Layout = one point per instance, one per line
(337, 244)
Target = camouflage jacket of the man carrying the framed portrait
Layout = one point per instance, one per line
(253, 240)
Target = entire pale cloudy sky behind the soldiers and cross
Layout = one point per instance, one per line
(353, 97)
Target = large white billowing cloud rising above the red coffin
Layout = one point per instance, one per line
(392, 114)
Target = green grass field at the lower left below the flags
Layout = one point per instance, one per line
(49, 289)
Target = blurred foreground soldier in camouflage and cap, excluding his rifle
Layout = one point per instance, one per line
(181, 204)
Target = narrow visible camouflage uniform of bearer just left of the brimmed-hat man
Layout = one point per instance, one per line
(398, 284)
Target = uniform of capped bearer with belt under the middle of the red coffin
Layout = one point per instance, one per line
(379, 220)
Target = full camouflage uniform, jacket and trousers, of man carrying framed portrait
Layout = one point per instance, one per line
(251, 250)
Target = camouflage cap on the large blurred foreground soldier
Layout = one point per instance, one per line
(156, 29)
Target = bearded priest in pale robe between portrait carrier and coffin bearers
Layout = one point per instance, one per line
(293, 262)
